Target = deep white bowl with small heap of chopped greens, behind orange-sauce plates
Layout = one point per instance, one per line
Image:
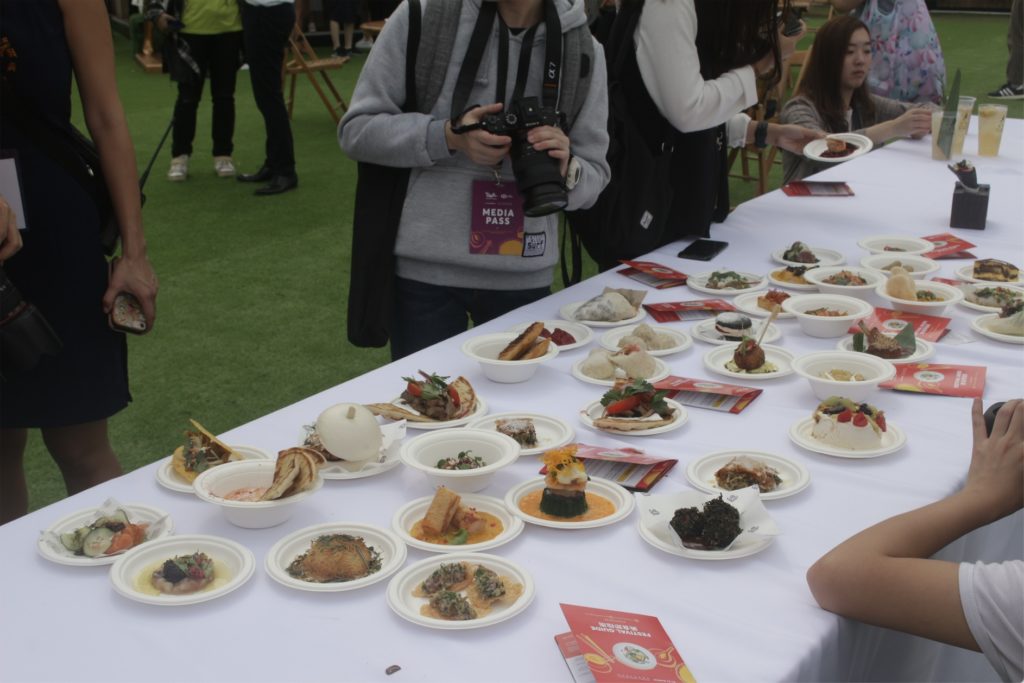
(495, 449)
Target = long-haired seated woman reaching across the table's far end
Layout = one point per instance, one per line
(833, 97)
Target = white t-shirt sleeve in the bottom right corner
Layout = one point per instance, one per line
(993, 596)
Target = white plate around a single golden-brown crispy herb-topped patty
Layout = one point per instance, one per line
(391, 547)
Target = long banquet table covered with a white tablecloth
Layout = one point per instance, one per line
(747, 620)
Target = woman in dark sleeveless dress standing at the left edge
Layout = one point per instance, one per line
(61, 269)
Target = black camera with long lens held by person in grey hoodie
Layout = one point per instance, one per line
(537, 176)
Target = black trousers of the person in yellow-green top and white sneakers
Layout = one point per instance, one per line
(218, 57)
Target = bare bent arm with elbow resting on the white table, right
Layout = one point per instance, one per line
(884, 576)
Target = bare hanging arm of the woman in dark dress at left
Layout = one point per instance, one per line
(88, 30)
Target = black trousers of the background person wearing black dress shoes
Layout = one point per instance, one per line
(267, 31)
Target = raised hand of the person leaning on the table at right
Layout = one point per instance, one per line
(997, 472)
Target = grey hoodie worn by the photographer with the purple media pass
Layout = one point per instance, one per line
(435, 234)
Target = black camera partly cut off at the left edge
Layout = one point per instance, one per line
(25, 334)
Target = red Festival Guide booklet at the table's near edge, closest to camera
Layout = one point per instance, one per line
(623, 647)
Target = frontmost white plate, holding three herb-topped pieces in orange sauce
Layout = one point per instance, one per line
(406, 606)
